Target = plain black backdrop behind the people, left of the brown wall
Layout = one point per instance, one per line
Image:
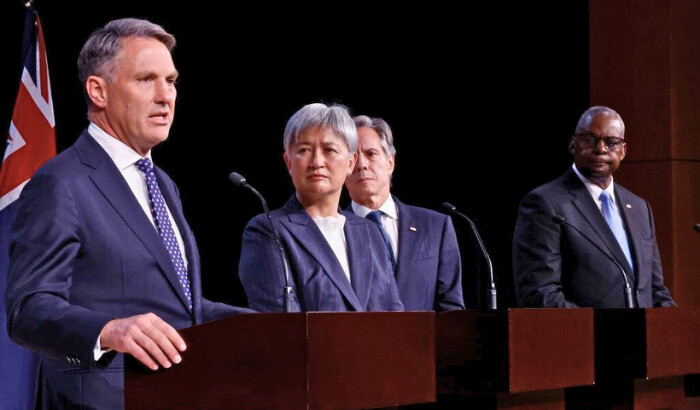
(482, 102)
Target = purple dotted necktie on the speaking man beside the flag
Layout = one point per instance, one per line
(165, 229)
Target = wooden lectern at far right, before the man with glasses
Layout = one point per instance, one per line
(641, 356)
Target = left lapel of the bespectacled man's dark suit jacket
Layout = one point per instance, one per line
(590, 212)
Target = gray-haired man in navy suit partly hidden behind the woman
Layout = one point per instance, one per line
(421, 244)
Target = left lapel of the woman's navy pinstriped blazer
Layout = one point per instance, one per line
(304, 229)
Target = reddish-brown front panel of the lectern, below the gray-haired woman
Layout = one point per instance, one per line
(387, 363)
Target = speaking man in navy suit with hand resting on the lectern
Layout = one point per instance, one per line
(102, 261)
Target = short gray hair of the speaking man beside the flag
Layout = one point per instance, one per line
(98, 56)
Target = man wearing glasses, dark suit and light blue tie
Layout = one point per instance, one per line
(580, 238)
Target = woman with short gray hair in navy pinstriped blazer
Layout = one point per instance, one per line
(336, 259)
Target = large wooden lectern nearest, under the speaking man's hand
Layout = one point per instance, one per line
(295, 361)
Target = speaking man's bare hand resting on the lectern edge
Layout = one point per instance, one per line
(146, 337)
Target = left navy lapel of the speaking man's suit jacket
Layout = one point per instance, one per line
(112, 185)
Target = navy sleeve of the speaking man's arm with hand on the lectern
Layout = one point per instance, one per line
(44, 248)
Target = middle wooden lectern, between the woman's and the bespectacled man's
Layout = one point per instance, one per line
(514, 358)
